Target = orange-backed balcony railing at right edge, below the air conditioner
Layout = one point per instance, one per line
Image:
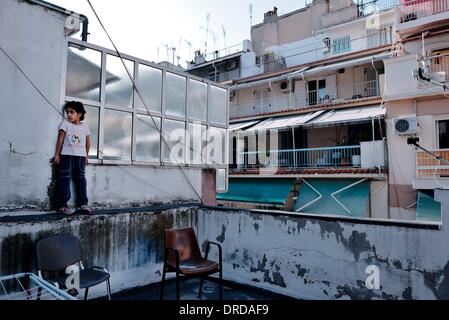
(429, 166)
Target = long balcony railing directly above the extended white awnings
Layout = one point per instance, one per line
(334, 95)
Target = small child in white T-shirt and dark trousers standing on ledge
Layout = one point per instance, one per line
(72, 153)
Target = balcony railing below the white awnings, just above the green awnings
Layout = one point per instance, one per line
(346, 156)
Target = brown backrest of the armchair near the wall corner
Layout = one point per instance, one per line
(185, 241)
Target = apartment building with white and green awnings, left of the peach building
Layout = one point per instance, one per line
(307, 130)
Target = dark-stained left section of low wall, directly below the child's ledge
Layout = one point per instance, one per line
(129, 245)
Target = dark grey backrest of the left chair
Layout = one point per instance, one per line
(58, 252)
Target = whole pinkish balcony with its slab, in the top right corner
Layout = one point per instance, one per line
(413, 16)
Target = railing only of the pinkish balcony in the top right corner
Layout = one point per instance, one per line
(409, 10)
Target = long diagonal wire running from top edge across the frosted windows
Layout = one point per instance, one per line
(144, 103)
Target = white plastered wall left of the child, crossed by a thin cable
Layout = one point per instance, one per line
(34, 38)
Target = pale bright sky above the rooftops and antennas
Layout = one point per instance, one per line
(145, 28)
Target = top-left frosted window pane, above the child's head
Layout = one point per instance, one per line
(83, 79)
